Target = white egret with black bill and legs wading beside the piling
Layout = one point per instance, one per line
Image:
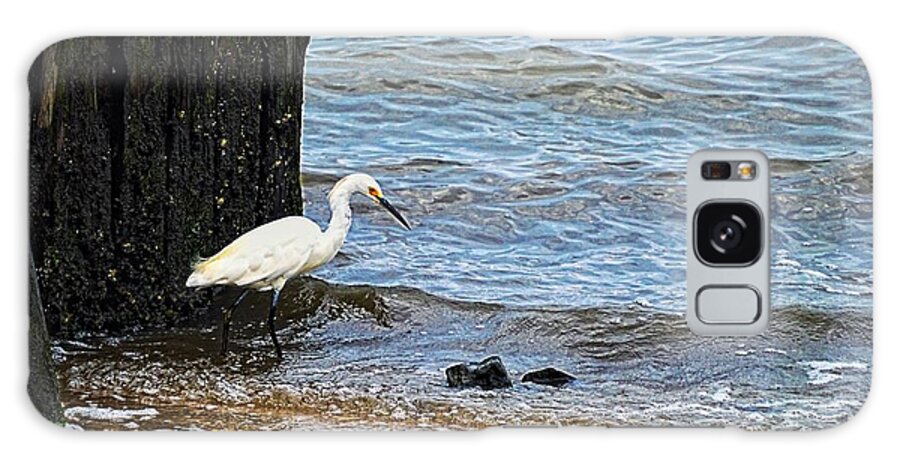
(266, 257)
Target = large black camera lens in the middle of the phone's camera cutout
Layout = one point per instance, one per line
(728, 233)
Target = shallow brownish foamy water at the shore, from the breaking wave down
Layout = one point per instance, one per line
(365, 357)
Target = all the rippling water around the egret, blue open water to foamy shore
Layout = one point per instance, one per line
(544, 183)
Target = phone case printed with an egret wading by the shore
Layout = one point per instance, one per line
(542, 278)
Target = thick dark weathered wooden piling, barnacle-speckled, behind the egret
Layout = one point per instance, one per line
(147, 153)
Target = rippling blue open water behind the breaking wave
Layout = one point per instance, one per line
(550, 173)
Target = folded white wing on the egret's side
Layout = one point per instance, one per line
(260, 255)
